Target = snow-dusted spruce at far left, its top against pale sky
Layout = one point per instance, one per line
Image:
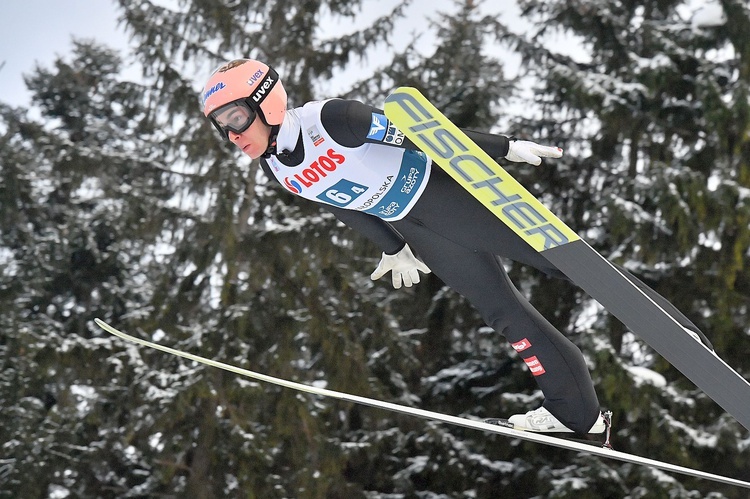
(83, 208)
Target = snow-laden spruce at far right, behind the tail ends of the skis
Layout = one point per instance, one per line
(650, 100)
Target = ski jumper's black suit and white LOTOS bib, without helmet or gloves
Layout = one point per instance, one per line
(347, 156)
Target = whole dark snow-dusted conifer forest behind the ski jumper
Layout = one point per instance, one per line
(119, 201)
